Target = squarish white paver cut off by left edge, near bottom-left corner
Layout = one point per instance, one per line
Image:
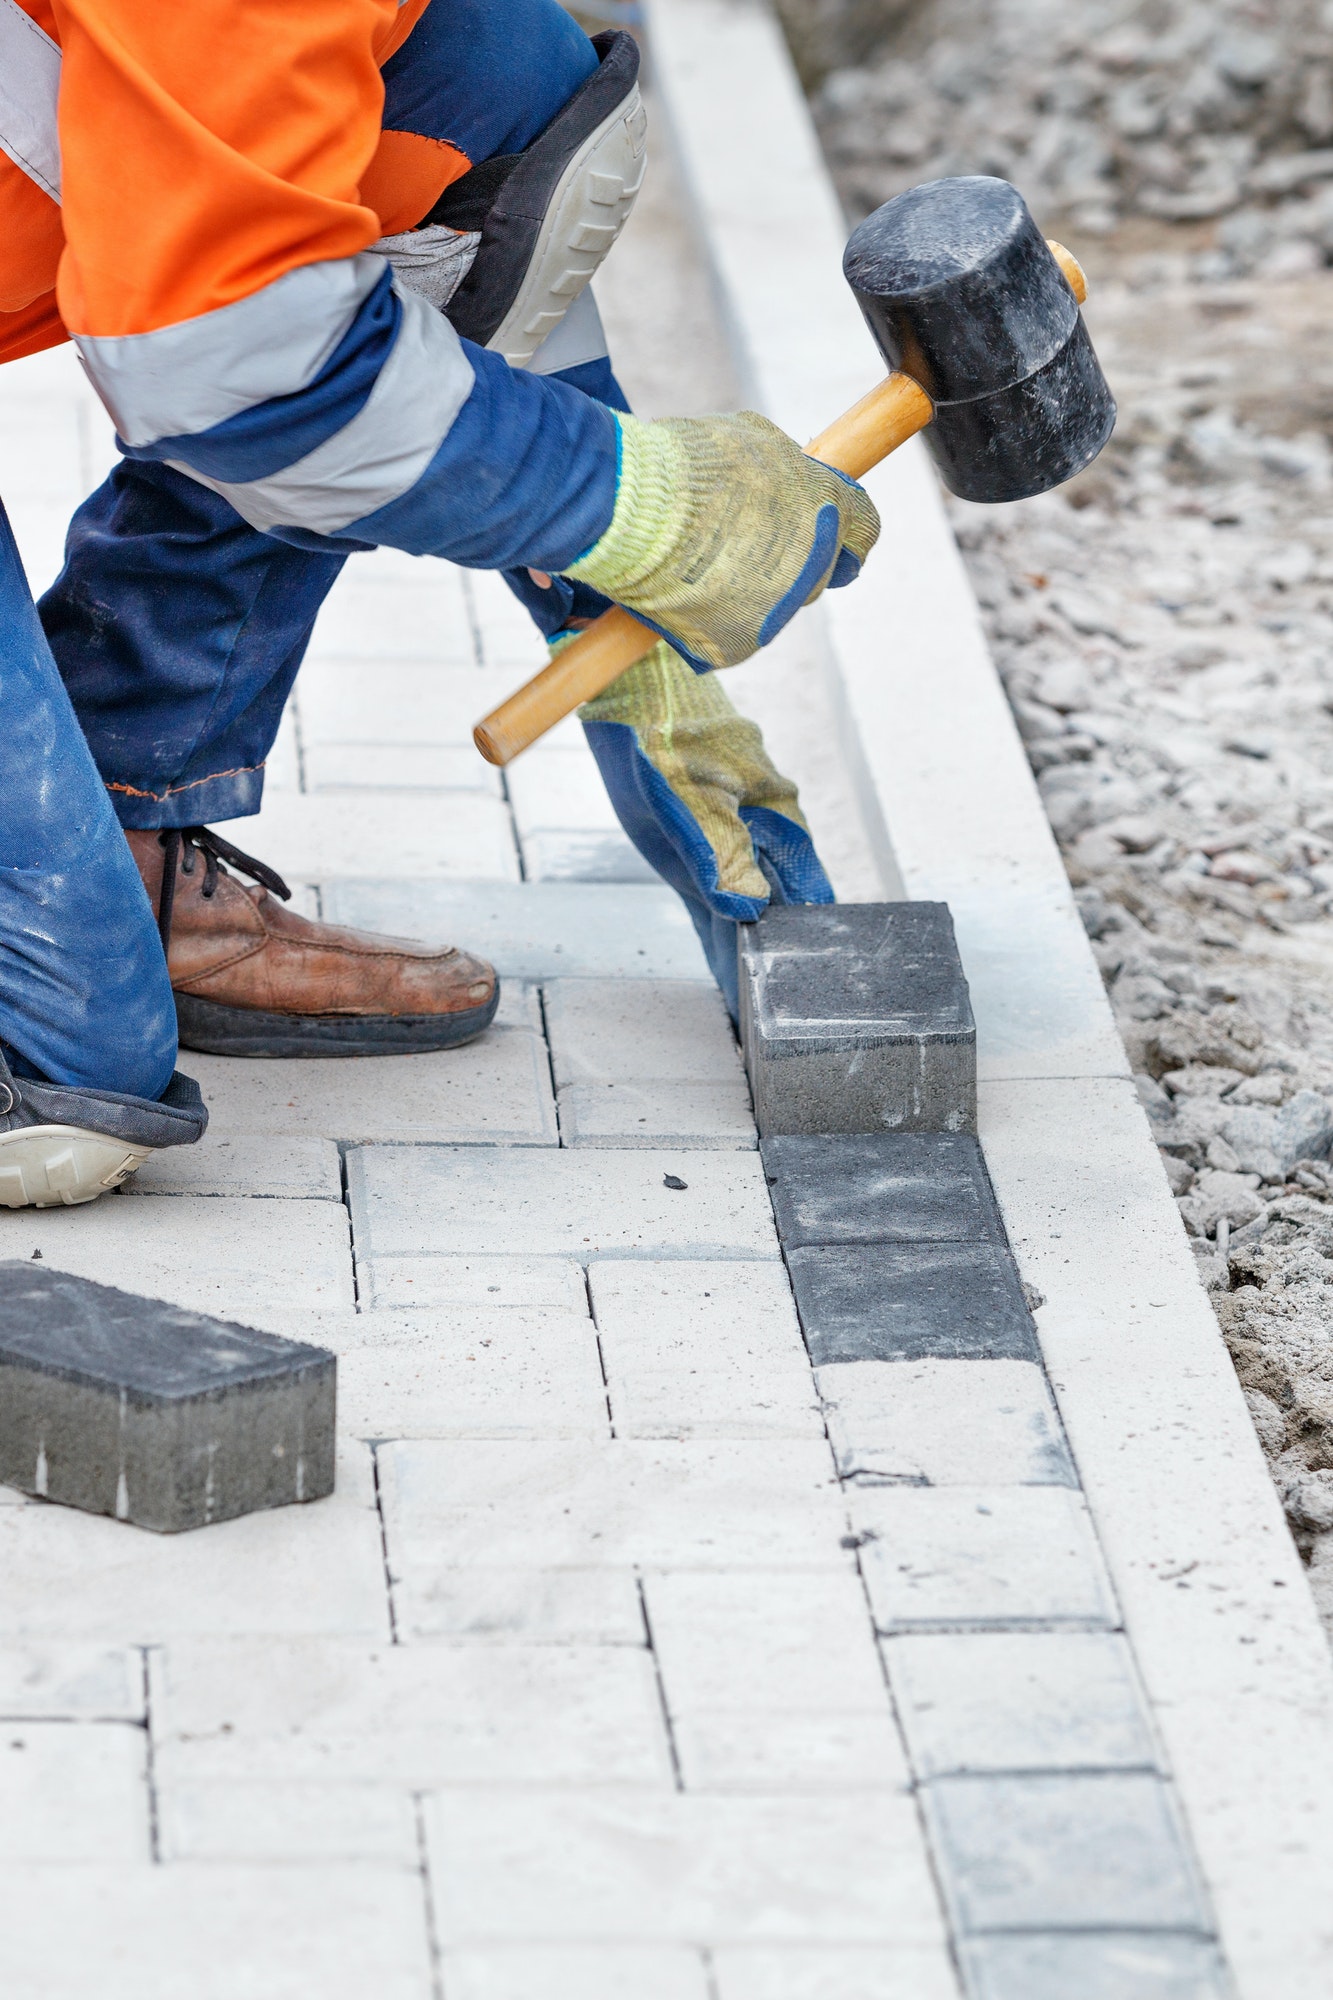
(73, 1793)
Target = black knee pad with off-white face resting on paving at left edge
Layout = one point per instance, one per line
(63, 1145)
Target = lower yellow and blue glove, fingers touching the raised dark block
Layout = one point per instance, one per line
(700, 797)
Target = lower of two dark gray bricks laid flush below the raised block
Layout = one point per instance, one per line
(898, 1303)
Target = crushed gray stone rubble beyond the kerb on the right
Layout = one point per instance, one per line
(1166, 623)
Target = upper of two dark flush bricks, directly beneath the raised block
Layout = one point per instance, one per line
(882, 1189)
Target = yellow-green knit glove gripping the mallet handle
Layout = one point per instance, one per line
(722, 531)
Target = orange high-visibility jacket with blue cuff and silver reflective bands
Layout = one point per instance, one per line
(183, 191)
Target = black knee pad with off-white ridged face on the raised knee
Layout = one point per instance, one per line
(511, 245)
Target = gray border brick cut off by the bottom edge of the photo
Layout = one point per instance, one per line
(1090, 1967)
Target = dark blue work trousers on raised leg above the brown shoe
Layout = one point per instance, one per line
(177, 627)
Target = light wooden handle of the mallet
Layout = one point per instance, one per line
(894, 413)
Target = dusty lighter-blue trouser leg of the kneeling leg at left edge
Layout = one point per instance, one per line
(83, 983)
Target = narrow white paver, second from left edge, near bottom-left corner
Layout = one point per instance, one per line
(285, 1821)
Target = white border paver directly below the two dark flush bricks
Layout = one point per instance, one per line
(946, 1423)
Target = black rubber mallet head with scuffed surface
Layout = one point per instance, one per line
(964, 295)
